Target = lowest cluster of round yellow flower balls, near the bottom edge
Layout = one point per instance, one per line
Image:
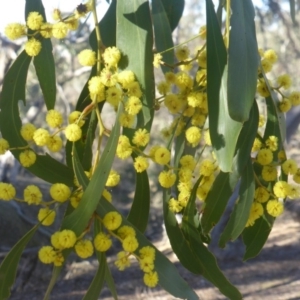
(102, 242)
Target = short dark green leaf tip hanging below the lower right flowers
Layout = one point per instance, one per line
(254, 237)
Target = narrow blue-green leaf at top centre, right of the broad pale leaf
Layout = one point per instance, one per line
(162, 33)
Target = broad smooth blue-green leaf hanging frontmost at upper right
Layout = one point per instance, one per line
(242, 60)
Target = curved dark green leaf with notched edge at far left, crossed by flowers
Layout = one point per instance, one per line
(10, 123)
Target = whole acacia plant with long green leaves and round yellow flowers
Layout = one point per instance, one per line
(216, 91)
